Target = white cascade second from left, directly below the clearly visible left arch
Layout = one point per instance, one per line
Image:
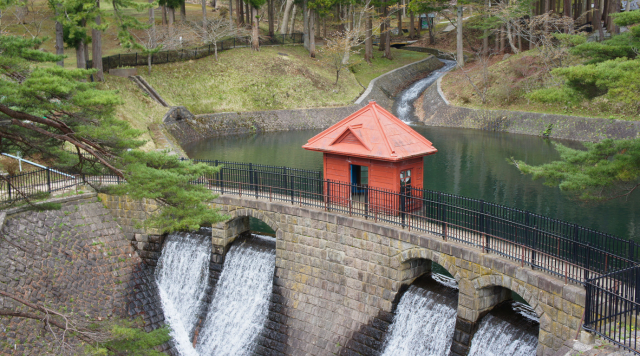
(241, 302)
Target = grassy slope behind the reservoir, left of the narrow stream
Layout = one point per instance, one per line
(266, 80)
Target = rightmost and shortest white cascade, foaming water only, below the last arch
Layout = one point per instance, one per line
(498, 337)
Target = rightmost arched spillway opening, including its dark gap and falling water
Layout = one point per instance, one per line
(509, 329)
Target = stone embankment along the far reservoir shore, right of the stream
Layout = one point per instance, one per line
(432, 109)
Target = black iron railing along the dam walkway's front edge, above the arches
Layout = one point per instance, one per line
(567, 250)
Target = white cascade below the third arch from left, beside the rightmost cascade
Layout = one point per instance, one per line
(423, 325)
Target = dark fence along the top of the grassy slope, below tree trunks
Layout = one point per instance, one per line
(140, 59)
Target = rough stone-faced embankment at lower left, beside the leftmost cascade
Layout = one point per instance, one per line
(75, 260)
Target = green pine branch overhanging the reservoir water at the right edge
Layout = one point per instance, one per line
(606, 170)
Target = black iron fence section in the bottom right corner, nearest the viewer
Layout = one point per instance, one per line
(612, 307)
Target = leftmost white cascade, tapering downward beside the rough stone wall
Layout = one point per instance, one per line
(182, 276)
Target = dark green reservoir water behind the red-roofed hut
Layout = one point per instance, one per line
(471, 163)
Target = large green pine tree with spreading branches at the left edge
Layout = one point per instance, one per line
(46, 110)
